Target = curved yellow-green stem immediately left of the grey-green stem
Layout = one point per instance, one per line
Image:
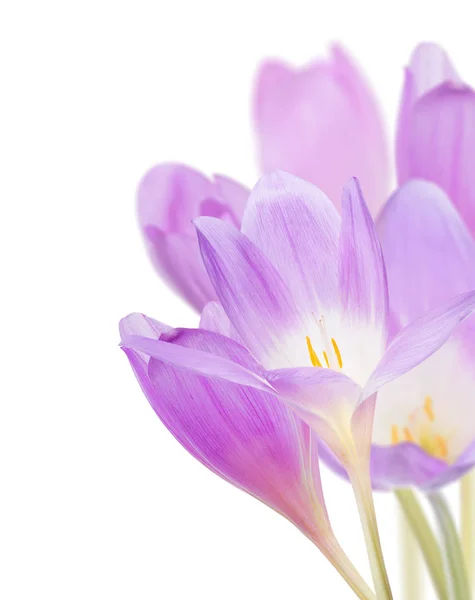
(430, 548)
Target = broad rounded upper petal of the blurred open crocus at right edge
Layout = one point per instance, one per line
(436, 259)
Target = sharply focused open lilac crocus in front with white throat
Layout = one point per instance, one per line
(306, 294)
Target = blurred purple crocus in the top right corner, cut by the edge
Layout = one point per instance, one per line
(436, 133)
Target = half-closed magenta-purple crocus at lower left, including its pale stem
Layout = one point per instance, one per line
(238, 432)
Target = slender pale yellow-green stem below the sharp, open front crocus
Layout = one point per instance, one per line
(361, 482)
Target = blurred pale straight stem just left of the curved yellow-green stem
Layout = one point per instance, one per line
(411, 560)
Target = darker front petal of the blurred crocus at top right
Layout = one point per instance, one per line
(440, 143)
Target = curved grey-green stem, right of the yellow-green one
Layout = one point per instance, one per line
(457, 578)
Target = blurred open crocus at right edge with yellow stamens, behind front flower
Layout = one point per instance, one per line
(424, 430)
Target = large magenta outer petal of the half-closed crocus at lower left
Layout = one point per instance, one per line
(244, 436)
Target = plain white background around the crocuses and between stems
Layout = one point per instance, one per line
(97, 500)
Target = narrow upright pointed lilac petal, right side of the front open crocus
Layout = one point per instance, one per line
(363, 285)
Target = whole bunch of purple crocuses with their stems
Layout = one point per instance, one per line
(335, 318)
